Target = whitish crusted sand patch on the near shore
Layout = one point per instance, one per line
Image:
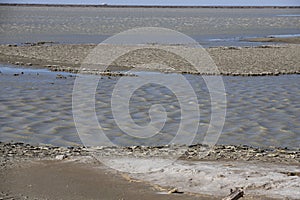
(217, 177)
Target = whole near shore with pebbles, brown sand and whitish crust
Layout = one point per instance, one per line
(22, 165)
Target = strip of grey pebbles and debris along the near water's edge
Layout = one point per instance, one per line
(193, 152)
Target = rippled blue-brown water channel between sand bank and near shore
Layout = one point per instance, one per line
(37, 108)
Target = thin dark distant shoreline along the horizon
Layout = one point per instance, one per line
(147, 6)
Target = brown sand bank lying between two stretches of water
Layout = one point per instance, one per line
(247, 61)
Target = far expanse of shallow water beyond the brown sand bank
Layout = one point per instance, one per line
(210, 27)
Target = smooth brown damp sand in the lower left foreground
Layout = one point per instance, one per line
(74, 180)
